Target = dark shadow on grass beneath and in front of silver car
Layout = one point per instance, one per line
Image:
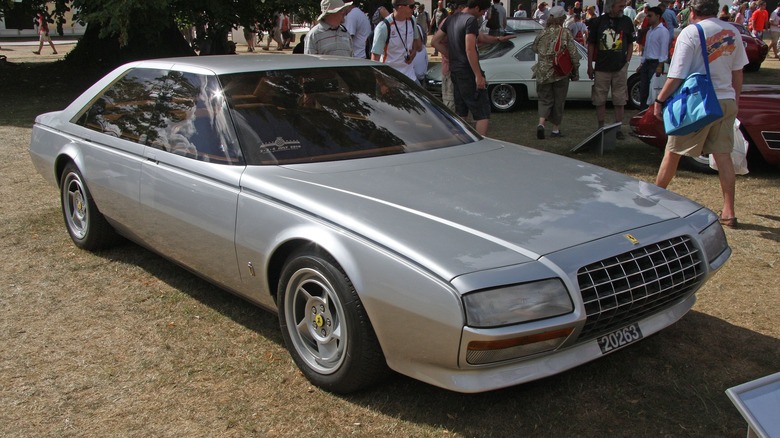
(671, 384)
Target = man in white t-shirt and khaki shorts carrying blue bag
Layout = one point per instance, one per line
(726, 59)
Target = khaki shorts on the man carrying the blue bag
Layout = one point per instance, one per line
(717, 137)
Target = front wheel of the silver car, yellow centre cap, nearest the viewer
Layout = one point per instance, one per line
(325, 327)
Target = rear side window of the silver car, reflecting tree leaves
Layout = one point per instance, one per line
(126, 108)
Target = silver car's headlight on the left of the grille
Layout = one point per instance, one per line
(519, 303)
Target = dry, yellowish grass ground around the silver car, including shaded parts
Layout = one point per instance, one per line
(124, 343)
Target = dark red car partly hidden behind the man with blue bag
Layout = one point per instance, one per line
(758, 113)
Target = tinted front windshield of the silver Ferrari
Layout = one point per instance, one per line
(315, 115)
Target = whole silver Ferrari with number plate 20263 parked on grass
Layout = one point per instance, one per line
(386, 233)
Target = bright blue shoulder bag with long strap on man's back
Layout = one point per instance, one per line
(694, 105)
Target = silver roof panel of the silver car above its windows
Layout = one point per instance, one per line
(224, 64)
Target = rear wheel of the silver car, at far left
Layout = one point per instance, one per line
(87, 227)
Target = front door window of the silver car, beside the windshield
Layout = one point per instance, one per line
(191, 120)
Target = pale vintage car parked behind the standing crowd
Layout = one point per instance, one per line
(507, 67)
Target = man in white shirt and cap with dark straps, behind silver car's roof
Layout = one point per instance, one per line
(399, 50)
